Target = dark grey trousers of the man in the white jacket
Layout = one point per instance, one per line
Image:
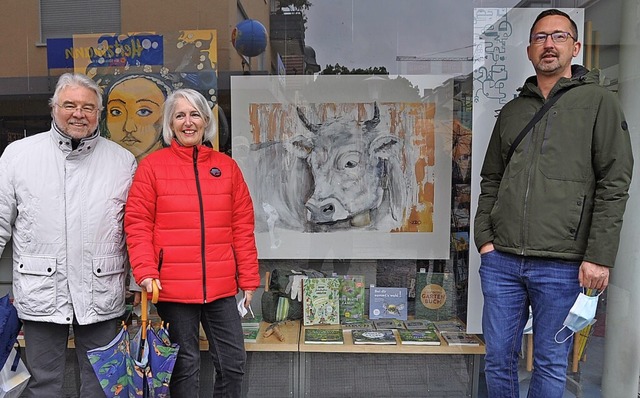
(45, 351)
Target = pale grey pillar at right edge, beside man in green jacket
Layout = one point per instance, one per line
(622, 341)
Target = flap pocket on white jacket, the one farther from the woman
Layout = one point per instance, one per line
(36, 287)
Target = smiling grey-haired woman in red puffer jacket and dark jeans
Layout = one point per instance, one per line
(190, 228)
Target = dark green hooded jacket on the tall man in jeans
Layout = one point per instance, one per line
(564, 191)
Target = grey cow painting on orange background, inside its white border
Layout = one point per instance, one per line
(340, 167)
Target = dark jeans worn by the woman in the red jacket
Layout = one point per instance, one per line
(221, 322)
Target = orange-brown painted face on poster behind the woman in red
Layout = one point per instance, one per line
(133, 115)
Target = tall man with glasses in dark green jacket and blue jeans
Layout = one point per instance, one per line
(549, 218)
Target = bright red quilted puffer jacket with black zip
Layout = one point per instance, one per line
(189, 222)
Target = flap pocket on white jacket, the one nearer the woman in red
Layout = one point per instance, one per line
(108, 284)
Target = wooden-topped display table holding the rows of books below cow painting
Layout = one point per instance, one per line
(368, 370)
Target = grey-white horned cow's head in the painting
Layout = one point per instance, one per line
(350, 164)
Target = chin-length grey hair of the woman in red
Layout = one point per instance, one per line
(198, 101)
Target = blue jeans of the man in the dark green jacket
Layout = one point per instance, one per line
(511, 283)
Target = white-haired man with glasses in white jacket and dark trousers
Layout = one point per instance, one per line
(62, 197)
